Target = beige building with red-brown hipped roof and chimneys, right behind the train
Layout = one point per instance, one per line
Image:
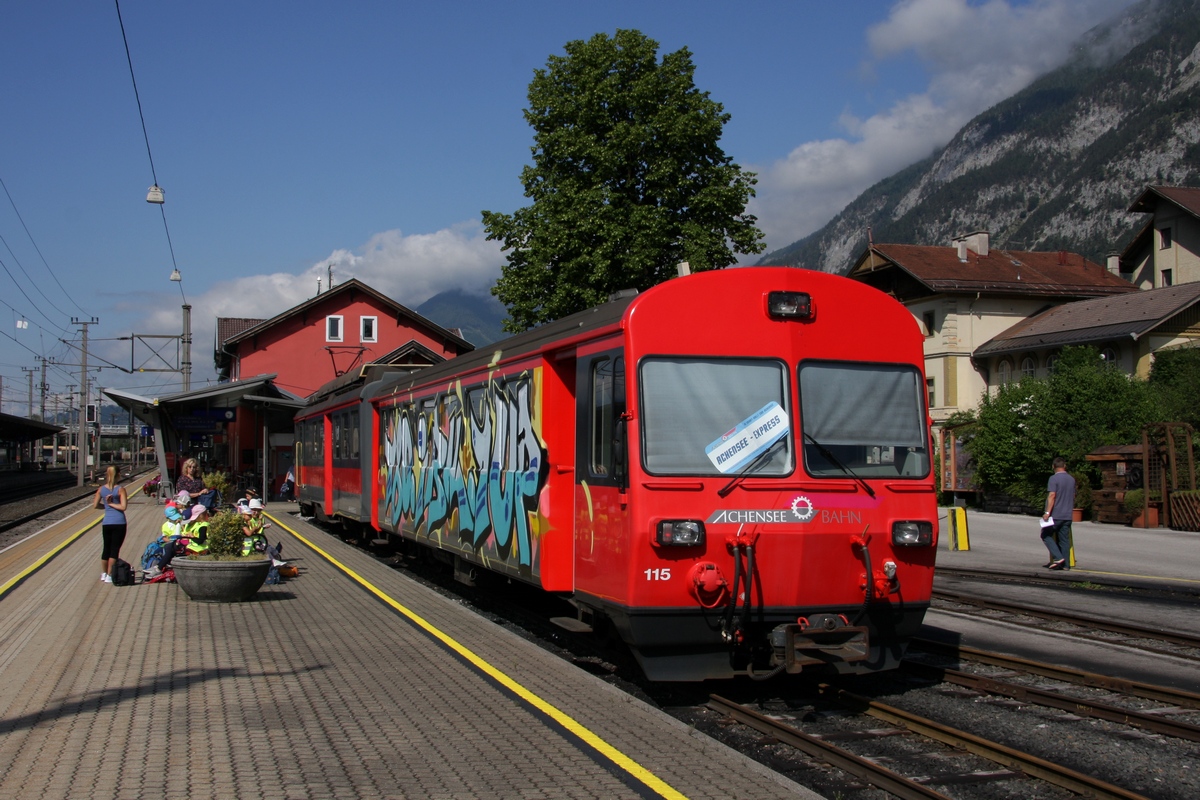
(965, 296)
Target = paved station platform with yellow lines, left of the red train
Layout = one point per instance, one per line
(347, 682)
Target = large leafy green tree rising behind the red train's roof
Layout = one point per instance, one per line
(628, 181)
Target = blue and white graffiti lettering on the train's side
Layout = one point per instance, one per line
(471, 464)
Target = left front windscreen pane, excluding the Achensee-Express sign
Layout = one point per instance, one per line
(689, 404)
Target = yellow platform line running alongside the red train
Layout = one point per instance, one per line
(617, 757)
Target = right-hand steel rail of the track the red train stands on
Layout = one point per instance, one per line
(1010, 757)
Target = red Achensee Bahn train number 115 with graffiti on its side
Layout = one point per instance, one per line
(731, 468)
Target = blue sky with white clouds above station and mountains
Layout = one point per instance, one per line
(369, 136)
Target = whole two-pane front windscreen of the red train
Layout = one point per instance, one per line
(722, 417)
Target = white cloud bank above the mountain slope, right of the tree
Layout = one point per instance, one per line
(976, 56)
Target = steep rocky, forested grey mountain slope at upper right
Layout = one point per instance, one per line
(1055, 166)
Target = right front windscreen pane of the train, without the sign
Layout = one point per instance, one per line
(868, 419)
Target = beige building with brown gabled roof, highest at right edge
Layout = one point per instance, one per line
(1167, 251)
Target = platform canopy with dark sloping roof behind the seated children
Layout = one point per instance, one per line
(175, 417)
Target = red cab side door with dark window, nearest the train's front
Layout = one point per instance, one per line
(602, 474)
